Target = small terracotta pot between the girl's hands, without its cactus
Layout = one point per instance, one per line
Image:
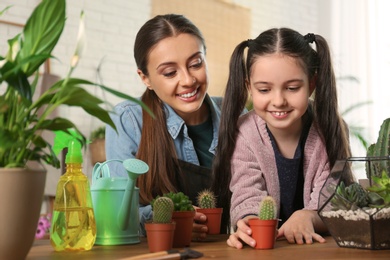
(264, 232)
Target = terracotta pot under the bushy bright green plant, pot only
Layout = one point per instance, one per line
(183, 232)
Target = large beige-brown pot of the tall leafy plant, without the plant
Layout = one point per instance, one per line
(21, 196)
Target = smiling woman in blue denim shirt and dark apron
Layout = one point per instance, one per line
(179, 143)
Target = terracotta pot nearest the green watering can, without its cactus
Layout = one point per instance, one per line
(160, 236)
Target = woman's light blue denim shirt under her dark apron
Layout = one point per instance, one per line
(124, 144)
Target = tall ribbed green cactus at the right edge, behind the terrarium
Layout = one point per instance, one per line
(379, 149)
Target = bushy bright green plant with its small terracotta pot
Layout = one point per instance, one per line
(183, 214)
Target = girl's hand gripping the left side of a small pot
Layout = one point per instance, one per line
(242, 235)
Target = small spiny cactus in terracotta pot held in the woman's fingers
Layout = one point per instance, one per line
(207, 205)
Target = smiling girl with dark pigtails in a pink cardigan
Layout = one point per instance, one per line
(286, 146)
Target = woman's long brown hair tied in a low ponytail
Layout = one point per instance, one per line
(156, 147)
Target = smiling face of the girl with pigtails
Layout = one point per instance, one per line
(280, 92)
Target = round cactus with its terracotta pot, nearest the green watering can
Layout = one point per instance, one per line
(160, 231)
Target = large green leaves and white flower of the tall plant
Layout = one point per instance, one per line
(24, 118)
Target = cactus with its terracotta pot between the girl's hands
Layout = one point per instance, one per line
(264, 227)
